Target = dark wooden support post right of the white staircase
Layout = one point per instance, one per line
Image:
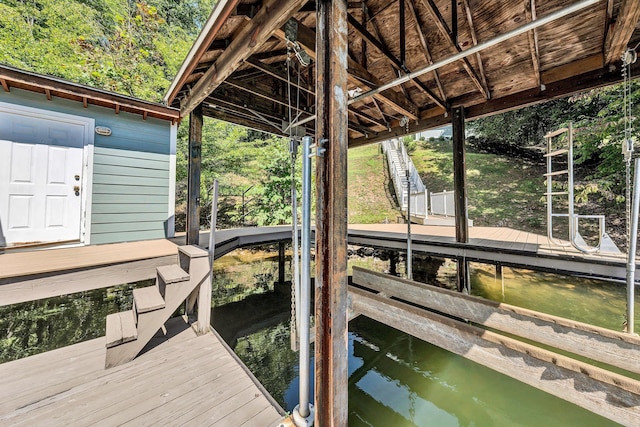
(460, 188)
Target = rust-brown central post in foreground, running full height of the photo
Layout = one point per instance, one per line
(331, 346)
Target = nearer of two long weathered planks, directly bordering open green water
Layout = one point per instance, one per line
(605, 393)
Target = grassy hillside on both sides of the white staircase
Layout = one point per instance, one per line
(501, 191)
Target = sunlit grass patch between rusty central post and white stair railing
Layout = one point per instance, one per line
(369, 201)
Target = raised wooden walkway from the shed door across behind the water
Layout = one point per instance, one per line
(32, 275)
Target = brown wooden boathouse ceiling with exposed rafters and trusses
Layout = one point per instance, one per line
(238, 67)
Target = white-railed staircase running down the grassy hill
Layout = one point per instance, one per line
(399, 162)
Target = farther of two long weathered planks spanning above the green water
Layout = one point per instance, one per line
(604, 345)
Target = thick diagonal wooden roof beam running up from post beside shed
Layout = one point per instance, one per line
(249, 39)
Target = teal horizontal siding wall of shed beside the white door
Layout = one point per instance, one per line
(130, 169)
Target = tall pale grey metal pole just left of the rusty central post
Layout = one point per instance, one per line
(305, 279)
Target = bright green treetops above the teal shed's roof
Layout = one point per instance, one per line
(129, 47)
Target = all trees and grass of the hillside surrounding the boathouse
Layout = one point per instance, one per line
(136, 48)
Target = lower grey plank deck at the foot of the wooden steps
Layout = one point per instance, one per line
(180, 379)
